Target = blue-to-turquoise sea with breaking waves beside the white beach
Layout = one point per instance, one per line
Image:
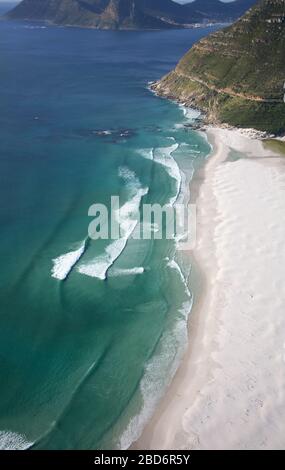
(84, 360)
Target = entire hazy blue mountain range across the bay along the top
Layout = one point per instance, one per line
(129, 14)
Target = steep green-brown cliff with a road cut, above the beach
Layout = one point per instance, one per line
(237, 75)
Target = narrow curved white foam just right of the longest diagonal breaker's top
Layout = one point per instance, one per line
(163, 156)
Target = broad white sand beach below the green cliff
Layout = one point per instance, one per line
(229, 392)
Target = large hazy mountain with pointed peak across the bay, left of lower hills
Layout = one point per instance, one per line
(112, 14)
